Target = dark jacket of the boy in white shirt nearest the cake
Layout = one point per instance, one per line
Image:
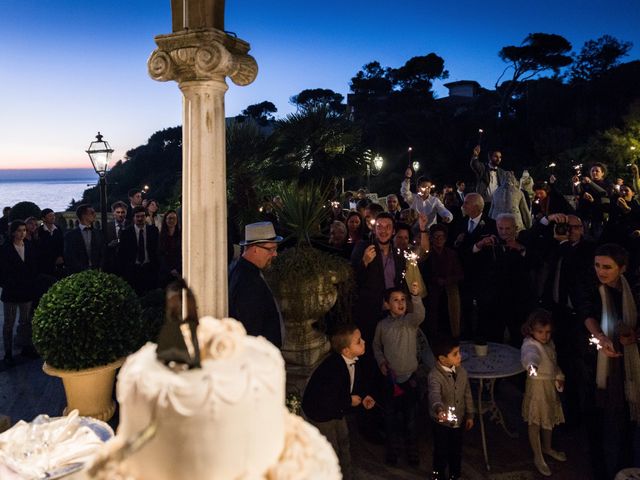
(327, 396)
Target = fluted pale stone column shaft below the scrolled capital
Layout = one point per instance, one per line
(204, 195)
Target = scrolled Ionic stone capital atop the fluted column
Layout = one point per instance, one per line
(206, 54)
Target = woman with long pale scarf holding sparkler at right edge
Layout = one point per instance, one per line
(612, 321)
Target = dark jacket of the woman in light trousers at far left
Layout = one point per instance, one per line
(18, 277)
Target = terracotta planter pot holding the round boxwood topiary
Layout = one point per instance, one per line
(89, 391)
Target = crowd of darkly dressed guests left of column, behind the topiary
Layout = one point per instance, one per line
(141, 246)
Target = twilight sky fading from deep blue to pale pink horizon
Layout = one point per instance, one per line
(69, 68)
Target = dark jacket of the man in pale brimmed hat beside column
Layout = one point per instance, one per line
(251, 302)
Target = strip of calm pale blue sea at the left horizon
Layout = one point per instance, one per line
(46, 188)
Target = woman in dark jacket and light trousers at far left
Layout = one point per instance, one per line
(18, 279)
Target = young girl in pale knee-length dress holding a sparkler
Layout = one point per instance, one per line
(541, 407)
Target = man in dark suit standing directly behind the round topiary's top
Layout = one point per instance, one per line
(83, 246)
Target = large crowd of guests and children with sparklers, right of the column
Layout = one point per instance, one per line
(516, 262)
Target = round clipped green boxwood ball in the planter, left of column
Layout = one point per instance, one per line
(87, 320)
